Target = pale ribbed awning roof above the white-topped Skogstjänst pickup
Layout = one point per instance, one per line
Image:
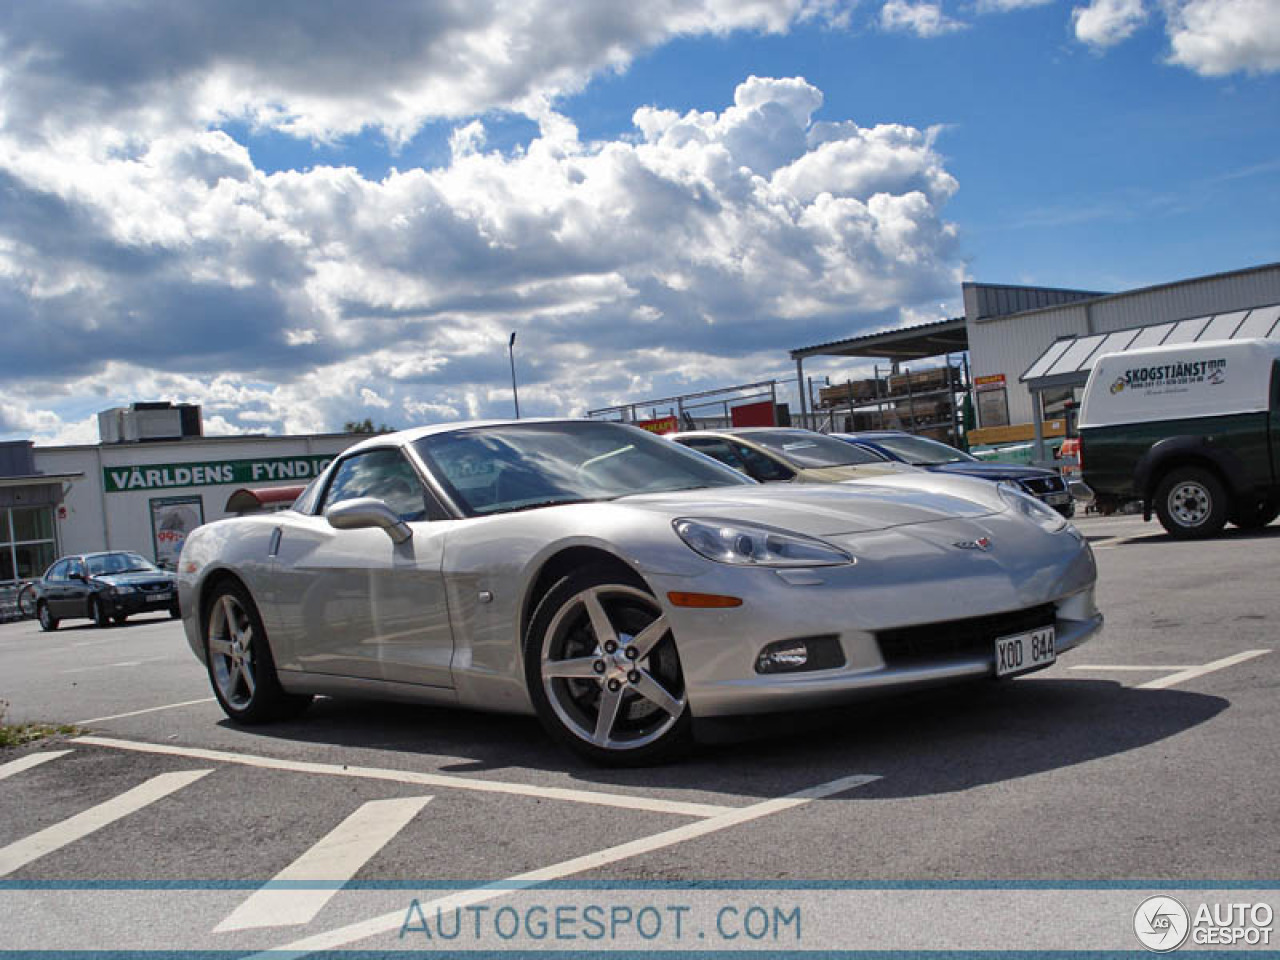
(1069, 360)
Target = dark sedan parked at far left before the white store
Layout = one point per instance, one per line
(106, 588)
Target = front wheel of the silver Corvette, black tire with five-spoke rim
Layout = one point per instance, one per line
(651, 721)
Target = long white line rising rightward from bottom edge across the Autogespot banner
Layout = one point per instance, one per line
(355, 932)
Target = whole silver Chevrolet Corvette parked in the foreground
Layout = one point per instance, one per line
(620, 587)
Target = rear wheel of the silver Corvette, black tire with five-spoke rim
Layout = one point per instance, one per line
(239, 660)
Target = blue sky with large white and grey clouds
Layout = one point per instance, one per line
(611, 182)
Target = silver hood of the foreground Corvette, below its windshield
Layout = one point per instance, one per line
(824, 510)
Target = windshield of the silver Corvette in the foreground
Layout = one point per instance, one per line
(520, 467)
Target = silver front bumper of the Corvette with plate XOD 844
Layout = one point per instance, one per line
(908, 579)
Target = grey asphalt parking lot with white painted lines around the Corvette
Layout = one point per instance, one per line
(1148, 755)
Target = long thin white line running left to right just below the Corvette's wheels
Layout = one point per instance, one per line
(432, 780)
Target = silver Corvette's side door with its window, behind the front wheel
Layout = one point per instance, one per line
(355, 604)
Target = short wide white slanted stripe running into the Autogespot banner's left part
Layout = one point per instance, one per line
(335, 861)
